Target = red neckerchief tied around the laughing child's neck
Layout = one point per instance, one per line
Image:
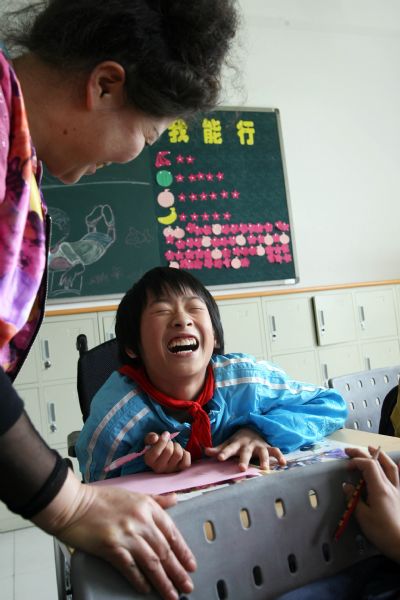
(200, 436)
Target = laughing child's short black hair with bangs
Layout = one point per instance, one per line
(157, 282)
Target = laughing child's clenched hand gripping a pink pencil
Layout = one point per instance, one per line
(165, 456)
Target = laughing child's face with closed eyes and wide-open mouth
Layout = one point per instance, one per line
(177, 341)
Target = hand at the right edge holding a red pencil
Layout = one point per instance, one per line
(379, 515)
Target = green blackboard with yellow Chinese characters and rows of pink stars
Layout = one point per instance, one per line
(210, 196)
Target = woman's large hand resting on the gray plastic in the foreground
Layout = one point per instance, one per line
(131, 531)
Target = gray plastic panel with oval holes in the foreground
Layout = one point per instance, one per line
(256, 553)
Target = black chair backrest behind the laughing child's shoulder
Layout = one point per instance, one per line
(94, 368)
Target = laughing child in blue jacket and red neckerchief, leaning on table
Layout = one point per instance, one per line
(176, 378)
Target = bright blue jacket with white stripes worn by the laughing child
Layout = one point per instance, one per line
(287, 414)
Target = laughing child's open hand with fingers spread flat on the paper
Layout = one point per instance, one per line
(246, 443)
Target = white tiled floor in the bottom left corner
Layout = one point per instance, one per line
(27, 567)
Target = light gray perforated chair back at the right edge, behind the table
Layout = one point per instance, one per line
(364, 393)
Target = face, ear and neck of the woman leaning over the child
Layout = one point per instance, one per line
(87, 122)
